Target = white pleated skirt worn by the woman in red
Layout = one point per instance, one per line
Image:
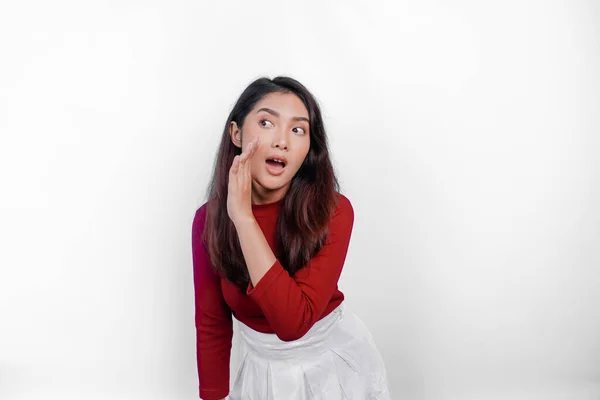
(336, 360)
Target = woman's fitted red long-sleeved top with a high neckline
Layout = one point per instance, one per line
(280, 304)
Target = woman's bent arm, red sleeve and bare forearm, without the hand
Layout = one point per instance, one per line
(293, 304)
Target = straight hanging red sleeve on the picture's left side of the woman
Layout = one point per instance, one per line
(214, 328)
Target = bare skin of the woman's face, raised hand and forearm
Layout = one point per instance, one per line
(249, 181)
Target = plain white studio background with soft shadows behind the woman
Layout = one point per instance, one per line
(466, 135)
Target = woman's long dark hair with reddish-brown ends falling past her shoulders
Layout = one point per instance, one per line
(306, 208)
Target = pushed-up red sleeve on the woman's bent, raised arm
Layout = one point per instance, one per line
(293, 304)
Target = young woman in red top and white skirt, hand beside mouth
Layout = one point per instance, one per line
(268, 249)
